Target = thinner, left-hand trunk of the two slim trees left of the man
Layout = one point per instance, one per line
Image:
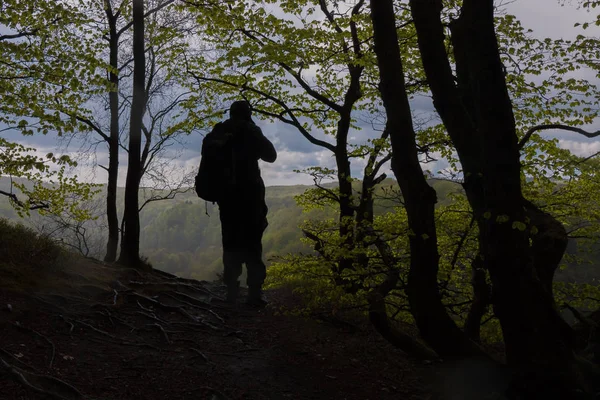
(113, 144)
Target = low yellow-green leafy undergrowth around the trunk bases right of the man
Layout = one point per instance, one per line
(312, 276)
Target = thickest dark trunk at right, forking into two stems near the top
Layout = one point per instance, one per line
(478, 116)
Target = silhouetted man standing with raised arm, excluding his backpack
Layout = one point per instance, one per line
(244, 213)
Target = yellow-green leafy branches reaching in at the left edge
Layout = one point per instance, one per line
(37, 70)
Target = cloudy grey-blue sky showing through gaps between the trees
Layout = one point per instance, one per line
(546, 17)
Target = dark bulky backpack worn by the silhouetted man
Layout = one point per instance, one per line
(216, 177)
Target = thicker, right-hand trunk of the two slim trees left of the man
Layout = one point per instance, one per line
(130, 246)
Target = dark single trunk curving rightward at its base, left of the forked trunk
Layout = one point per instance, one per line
(435, 326)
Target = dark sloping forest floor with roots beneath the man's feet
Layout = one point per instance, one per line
(95, 331)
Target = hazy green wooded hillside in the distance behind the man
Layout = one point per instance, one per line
(183, 235)
